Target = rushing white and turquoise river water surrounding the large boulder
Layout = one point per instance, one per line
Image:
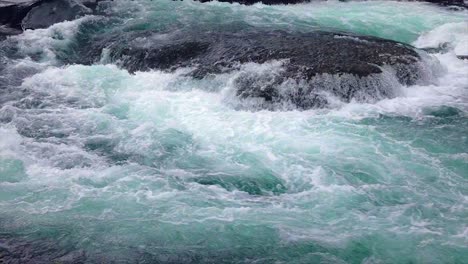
(101, 165)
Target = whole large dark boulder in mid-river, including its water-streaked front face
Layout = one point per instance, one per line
(345, 65)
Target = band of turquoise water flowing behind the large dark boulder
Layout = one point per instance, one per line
(392, 20)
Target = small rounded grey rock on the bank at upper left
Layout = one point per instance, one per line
(51, 12)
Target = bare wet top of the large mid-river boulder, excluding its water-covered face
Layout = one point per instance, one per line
(308, 54)
